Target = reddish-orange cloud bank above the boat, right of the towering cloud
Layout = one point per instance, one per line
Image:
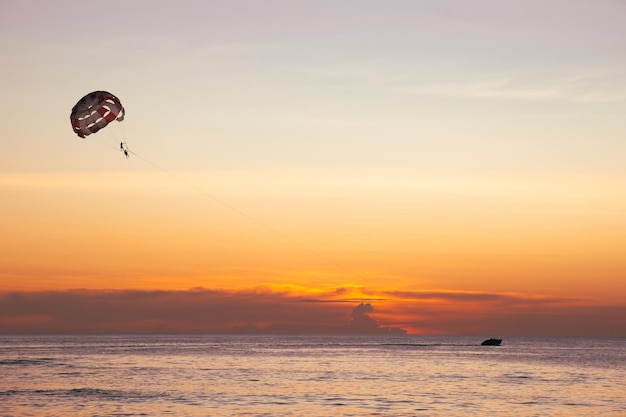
(505, 314)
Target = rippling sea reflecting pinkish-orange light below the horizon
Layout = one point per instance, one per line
(310, 376)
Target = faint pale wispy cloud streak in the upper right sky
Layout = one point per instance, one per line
(579, 85)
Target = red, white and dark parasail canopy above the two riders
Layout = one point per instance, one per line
(95, 111)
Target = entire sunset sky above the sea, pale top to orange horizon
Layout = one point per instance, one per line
(434, 167)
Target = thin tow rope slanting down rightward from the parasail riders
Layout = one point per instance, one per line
(235, 210)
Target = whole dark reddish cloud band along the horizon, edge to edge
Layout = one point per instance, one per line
(265, 311)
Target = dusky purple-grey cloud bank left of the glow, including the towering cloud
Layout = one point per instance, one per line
(192, 311)
